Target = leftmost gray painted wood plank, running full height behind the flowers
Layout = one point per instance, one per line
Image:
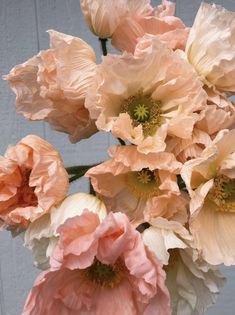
(18, 43)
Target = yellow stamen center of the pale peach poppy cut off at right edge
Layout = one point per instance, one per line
(223, 193)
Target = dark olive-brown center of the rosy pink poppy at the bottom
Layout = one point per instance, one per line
(105, 275)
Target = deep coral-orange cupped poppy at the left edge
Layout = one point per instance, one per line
(33, 179)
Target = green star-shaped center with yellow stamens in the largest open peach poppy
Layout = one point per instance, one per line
(143, 110)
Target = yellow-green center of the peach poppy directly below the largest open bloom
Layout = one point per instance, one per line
(143, 184)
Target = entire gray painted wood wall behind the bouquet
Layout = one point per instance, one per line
(22, 33)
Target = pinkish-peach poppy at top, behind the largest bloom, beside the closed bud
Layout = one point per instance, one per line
(162, 23)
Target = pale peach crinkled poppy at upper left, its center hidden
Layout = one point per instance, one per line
(52, 85)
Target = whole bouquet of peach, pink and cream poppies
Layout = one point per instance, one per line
(160, 216)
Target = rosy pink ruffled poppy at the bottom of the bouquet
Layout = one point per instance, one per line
(100, 268)
